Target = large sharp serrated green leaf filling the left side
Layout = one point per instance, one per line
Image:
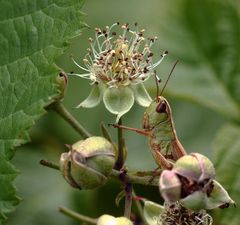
(32, 35)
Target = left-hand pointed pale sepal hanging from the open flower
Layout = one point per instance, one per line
(93, 99)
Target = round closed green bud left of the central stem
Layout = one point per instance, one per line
(89, 163)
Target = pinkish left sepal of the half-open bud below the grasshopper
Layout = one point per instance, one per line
(170, 186)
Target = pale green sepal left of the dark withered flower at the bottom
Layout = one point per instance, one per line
(151, 213)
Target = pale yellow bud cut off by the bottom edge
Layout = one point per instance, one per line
(110, 220)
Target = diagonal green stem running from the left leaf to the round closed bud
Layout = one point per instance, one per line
(59, 108)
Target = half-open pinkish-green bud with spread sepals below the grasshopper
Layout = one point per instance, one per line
(191, 182)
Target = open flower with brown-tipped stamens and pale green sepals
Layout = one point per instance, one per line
(117, 65)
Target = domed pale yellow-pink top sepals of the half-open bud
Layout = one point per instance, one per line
(195, 167)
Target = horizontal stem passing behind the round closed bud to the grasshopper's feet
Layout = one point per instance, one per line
(133, 178)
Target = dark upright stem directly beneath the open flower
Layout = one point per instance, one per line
(120, 159)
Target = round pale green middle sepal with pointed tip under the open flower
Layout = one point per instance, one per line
(118, 100)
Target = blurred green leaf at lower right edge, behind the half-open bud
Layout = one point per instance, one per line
(226, 157)
